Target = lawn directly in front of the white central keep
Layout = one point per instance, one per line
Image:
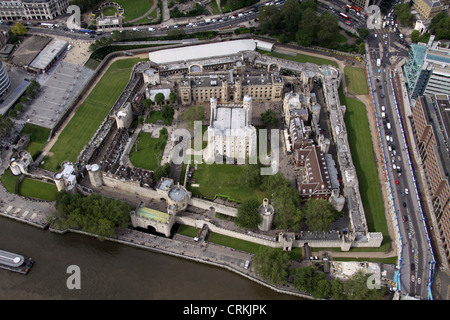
(223, 179)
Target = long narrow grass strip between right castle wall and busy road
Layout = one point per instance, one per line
(361, 147)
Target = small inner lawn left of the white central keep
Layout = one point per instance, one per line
(149, 151)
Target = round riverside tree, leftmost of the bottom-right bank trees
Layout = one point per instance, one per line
(272, 265)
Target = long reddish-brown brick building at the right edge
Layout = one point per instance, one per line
(431, 126)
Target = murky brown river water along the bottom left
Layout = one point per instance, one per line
(113, 271)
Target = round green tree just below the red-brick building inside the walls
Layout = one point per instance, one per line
(319, 214)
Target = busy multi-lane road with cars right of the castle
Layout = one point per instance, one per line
(416, 254)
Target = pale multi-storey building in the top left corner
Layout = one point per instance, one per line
(17, 10)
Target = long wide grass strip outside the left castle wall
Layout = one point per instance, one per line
(90, 114)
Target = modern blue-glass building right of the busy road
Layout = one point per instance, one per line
(427, 70)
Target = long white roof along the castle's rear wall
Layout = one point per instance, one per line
(202, 51)
